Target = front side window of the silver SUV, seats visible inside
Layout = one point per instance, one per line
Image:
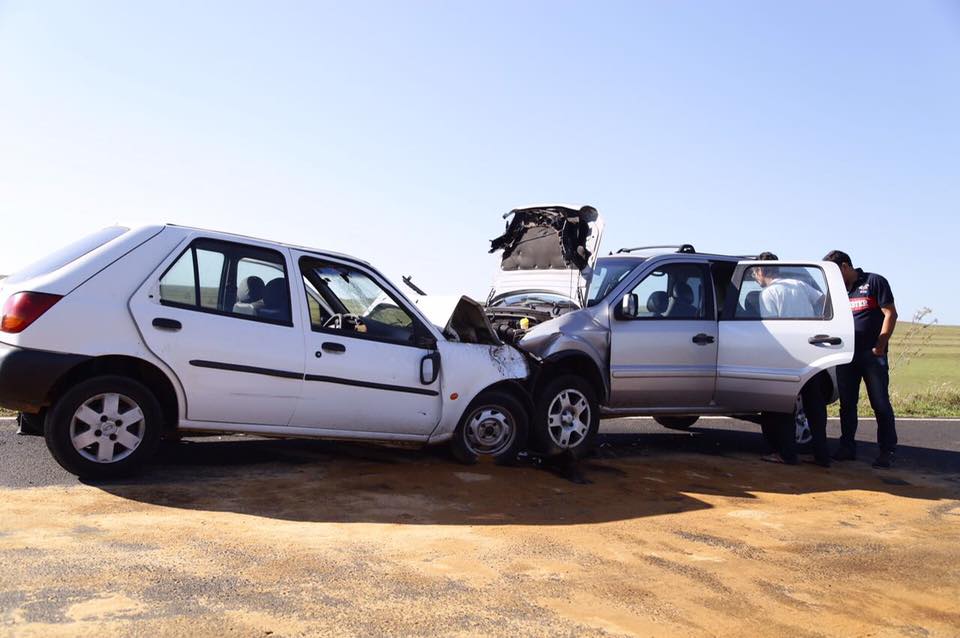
(674, 291)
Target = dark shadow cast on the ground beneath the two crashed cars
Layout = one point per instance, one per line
(631, 476)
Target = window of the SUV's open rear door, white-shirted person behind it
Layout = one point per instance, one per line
(783, 292)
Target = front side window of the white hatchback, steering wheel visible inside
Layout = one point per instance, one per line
(345, 299)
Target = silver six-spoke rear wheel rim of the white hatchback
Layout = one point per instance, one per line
(107, 428)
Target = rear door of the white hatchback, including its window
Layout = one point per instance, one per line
(220, 314)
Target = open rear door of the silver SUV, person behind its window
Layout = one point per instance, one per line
(777, 333)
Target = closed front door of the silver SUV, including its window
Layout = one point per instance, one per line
(666, 355)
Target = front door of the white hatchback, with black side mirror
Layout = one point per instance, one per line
(365, 346)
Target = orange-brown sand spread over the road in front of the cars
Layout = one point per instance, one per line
(400, 542)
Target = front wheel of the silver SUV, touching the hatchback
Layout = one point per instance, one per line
(557, 429)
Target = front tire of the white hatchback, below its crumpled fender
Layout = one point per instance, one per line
(494, 428)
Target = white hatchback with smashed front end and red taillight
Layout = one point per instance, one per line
(134, 334)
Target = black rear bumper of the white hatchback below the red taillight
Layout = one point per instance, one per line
(27, 376)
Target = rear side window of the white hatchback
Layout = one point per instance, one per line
(229, 279)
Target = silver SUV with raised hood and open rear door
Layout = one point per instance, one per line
(661, 331)
